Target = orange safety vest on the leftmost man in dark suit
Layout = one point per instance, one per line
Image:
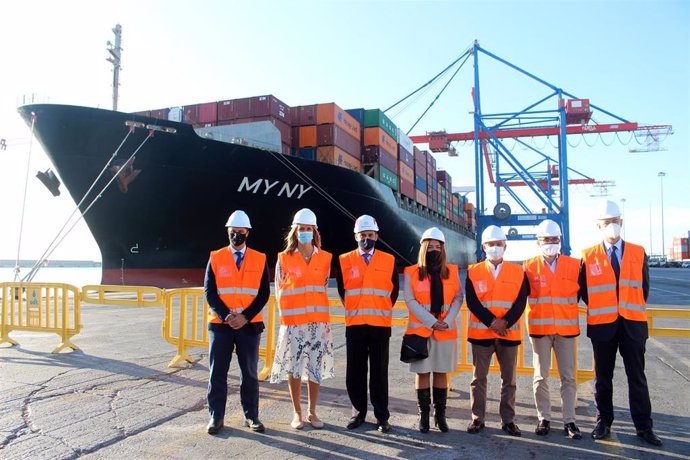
(237, 288)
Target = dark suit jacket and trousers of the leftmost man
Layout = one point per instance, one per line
(244, 341)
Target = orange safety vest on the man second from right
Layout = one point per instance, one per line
(552, 304)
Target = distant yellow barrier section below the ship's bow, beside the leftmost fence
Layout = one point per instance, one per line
(131, 296)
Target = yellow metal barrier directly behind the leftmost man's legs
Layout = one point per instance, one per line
(184, 326)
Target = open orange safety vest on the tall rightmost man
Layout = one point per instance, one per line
(603, 307)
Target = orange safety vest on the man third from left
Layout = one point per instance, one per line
(368, 288)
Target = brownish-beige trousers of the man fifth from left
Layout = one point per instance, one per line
(507, 361)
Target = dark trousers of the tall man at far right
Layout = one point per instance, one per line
(632, 352)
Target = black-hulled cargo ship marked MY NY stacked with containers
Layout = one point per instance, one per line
(166, 207)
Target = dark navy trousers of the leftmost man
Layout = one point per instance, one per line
(222, 340)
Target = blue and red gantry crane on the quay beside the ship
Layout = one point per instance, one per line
(548, 178)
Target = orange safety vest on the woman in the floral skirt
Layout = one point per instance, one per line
(303, 297)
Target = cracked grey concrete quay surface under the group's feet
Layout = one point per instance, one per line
(117, 398)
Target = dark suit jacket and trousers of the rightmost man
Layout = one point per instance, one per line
(629, 337)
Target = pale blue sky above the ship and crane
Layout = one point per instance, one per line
(630, 57)
